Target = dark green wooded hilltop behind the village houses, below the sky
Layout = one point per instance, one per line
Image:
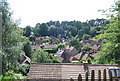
(69, 29)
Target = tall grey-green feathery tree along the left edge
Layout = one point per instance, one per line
(12, 41)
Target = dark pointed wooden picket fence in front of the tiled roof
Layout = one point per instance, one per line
(92, 77)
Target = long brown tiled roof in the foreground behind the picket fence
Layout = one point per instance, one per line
(63, 70)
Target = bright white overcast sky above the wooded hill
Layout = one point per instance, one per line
(31, 12)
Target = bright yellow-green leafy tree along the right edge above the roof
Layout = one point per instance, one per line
(111, 40)
